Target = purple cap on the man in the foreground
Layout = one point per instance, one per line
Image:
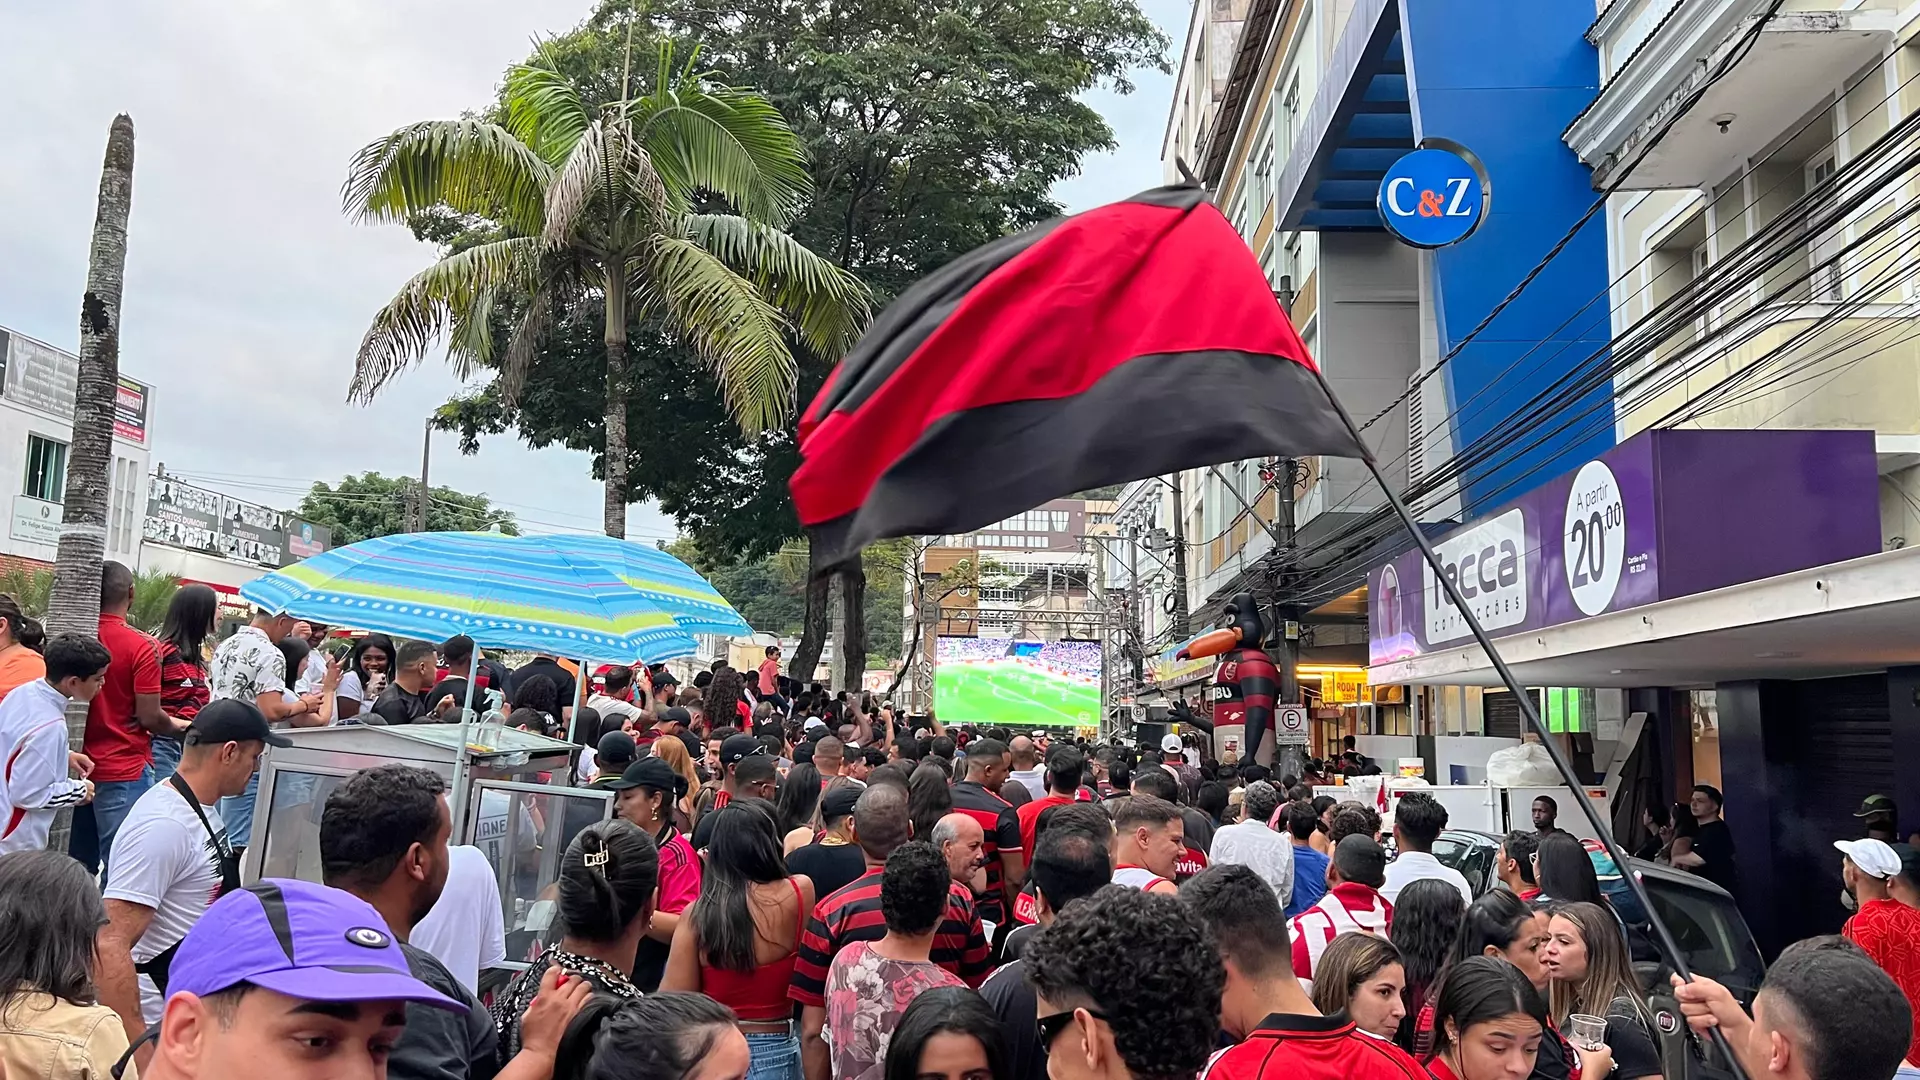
(304, 941)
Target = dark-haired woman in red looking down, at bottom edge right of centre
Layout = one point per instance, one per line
(1489, 1023)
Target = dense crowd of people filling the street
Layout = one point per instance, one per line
(800, 885)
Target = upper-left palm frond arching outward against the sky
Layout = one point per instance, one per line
(466, 166)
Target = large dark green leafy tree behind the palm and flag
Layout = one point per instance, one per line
(930, 130)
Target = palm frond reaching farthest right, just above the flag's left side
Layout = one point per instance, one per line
(825, 303)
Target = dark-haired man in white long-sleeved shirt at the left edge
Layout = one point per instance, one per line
(34, 739)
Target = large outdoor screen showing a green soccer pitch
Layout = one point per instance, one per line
(999, 681)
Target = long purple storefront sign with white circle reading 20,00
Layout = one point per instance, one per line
(1666, 514)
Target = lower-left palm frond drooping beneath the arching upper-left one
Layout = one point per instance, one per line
(423, 310)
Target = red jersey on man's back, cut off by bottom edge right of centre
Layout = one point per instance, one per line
(1312, 1048)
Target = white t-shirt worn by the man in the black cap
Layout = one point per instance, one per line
(164, 860)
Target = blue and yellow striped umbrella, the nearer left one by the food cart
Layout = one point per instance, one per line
(512, 593)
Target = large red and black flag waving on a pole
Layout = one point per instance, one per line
(1124, 343)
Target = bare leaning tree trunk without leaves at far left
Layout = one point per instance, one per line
(84, 531)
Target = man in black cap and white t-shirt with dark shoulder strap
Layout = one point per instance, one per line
(172, 860)
